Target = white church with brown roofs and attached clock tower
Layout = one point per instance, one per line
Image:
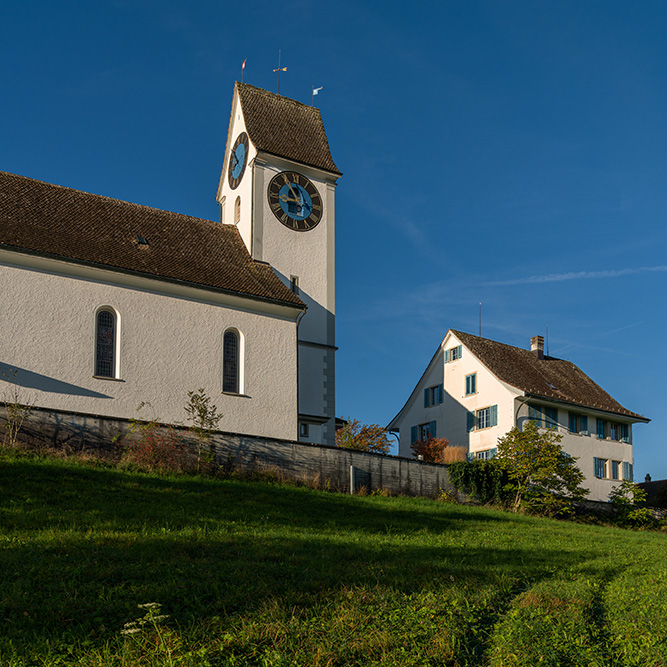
(108, 305)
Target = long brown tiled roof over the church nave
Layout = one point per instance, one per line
(59, 222)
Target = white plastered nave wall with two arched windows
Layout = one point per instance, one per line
(168, 345)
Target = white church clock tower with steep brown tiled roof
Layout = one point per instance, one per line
(277, 186)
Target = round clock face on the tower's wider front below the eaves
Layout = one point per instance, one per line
(295, 201)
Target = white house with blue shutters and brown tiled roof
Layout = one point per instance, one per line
(474, 390)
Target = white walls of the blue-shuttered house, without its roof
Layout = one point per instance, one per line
(474, 408)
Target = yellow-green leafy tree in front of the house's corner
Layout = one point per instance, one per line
(539, 471)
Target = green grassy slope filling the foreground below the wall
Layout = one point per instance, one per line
(262, 574)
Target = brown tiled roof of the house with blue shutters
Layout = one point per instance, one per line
(548, 378)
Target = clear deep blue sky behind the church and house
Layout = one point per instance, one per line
(510, 153)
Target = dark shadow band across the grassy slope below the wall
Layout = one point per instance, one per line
(81, 547)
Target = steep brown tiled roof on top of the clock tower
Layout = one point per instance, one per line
(285, 127)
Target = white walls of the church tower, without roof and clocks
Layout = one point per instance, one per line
(307, 257)
